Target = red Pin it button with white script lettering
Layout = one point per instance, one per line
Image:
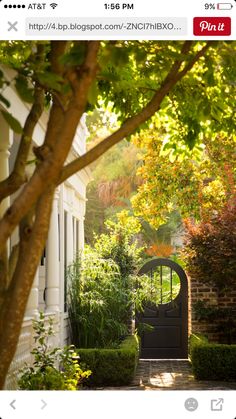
(212, 26)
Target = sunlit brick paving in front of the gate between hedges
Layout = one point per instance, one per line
(170, 375)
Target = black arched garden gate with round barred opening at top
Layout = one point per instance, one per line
(168, 337)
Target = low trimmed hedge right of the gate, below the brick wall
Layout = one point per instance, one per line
(212, 361)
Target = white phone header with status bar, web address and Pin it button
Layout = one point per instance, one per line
(123, 20)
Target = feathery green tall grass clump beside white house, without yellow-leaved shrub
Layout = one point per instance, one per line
(97, 301)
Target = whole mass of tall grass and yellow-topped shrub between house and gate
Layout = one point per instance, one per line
(103, 287)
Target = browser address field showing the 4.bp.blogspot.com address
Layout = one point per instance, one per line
(84, 27)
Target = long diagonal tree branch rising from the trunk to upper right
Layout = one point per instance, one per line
(131, 124)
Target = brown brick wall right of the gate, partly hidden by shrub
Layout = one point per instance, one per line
(211, 296)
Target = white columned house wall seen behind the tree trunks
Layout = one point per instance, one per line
(69, 197)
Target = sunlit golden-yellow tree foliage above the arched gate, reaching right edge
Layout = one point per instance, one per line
(195, 182)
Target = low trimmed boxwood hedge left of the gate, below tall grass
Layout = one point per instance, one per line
(111, 367)
